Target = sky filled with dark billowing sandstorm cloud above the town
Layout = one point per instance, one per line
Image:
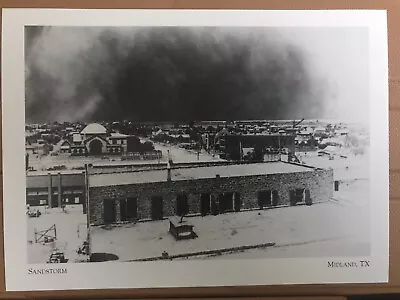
(188, 74)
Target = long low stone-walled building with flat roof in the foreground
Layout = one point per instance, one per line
(201, 190)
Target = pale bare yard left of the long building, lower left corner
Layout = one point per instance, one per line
(71, 232)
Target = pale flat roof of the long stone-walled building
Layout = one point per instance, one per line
(151, 176)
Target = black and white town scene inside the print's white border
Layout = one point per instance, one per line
(180, 143)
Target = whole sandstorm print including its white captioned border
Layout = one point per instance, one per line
(190, 148)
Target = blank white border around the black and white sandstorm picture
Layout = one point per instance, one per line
(188, 273)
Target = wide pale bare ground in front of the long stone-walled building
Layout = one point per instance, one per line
(323, 229)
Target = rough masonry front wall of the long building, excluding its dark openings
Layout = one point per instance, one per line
(319, 182)
